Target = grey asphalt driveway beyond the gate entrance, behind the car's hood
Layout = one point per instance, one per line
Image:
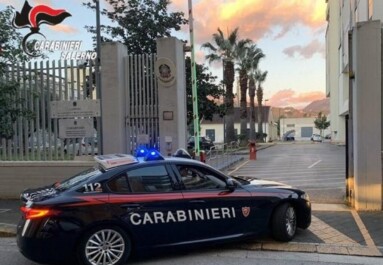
(317, 168)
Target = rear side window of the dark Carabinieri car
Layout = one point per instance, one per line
(146, 179)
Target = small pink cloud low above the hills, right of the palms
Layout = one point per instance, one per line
(290, 98)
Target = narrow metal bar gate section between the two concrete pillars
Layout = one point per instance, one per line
(142, 127)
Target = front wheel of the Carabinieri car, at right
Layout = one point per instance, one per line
(284, 223)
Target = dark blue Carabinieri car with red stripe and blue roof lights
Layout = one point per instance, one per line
(131, 204)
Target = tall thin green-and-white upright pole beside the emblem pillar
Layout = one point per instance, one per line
(194, 84)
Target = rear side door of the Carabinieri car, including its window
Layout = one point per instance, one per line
(147, 201)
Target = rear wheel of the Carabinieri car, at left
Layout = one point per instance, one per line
(109, 243)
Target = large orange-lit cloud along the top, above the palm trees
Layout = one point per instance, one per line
(256, 18)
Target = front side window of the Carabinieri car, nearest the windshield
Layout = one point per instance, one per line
(199, 178)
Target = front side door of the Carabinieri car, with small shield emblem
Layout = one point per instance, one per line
(214, 211)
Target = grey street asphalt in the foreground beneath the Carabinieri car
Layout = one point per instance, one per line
(9, 255)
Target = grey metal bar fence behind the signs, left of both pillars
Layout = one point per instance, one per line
(39, 83)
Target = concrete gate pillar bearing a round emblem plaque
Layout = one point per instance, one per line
(170, 72)
